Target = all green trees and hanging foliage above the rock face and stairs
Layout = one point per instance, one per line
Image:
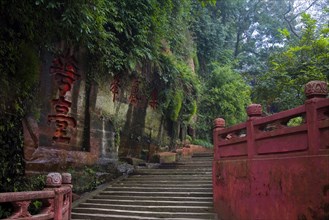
(207, 59)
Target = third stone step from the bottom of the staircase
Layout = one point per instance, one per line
(155, 197)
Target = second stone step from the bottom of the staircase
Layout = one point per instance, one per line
(151, 208)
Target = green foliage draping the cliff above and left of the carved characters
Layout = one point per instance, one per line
(119, 37)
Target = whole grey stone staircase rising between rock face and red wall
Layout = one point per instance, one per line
(176, 191)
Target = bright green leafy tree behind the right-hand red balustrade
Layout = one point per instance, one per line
(282, 86)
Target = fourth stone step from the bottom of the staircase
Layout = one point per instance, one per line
(158, 189)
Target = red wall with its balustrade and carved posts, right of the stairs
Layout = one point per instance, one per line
(265, 168)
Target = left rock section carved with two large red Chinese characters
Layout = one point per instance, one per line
(55, 140)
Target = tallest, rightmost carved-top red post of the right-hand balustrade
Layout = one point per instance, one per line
(314, 91)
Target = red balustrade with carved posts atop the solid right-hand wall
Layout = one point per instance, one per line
(272, 134)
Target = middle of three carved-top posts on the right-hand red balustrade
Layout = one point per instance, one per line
(254, 111)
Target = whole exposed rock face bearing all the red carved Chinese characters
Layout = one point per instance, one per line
(81, 122)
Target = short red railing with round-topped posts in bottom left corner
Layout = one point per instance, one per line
(56, 199)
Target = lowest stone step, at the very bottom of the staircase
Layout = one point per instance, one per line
(156, 214)
